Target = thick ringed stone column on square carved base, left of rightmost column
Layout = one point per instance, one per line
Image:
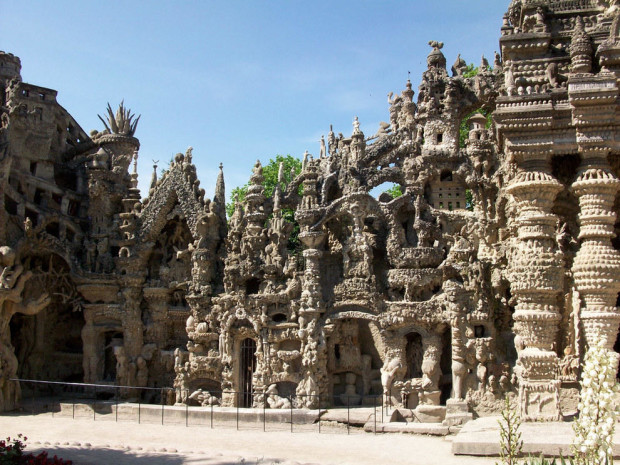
(536, 269)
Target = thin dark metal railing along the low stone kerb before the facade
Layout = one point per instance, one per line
(147, 404)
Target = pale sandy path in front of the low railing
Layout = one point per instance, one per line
(88, 442)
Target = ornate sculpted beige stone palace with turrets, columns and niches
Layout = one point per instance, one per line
(492, 273)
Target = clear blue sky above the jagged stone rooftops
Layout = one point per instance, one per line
(238, 80)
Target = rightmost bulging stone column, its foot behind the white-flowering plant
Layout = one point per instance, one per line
(596, 269)
